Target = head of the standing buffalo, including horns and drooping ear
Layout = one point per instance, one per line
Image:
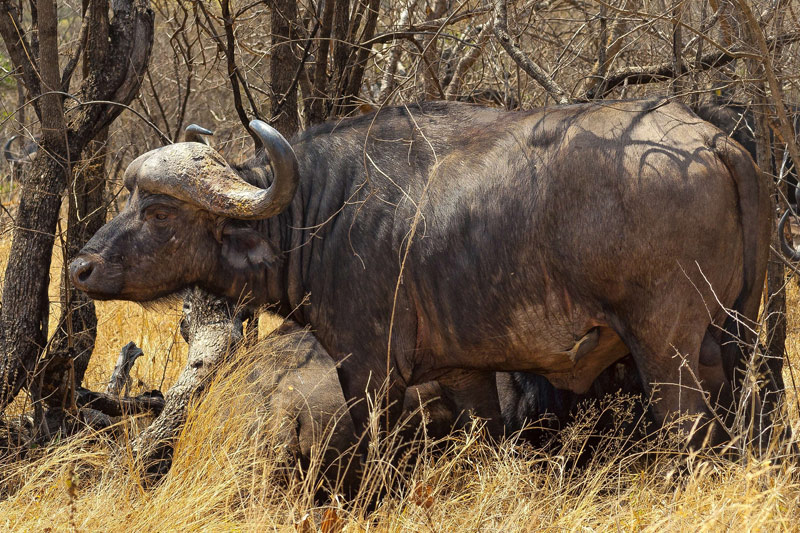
(186, 221)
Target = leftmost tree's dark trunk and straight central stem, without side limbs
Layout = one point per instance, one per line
(25, 302)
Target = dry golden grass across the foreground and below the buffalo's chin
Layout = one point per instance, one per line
(228, 473)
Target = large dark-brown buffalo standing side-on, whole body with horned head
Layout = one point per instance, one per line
(448, 241)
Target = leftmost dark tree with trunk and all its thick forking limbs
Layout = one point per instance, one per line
(115, 76)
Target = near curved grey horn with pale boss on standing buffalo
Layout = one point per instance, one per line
(198, 174)
